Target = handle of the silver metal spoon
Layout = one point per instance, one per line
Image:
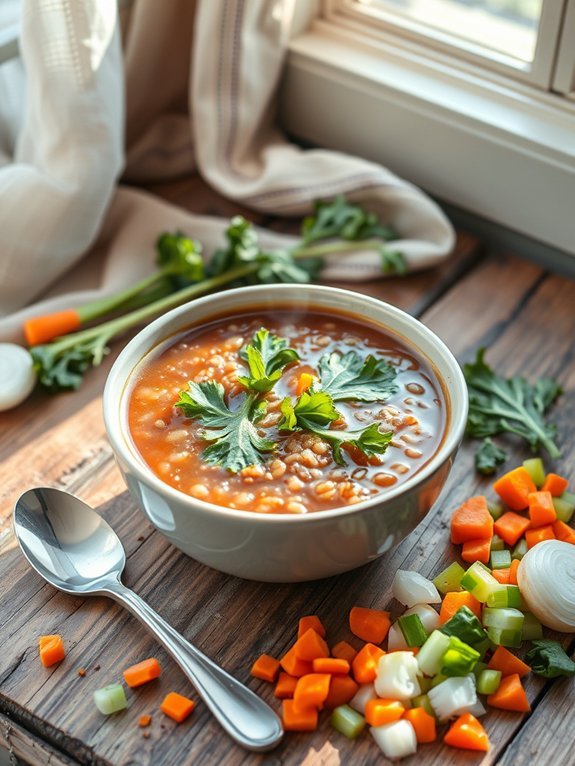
(244, 715)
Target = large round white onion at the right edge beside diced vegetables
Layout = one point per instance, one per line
(546, 578)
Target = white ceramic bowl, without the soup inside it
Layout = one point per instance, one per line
(284, 547)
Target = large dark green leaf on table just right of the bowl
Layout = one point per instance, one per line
(501, 405)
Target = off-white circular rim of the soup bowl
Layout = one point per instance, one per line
(115, 398)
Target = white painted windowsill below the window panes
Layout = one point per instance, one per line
(504, 153)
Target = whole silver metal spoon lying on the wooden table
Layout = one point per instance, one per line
(76, 551)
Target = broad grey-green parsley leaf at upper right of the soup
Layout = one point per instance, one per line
(351, 377)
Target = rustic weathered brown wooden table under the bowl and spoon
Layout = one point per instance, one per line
(527, 319)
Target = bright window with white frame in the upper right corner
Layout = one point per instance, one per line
(528, 40)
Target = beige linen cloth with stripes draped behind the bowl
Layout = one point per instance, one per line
(191, 87)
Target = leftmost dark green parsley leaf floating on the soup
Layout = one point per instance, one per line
(236, 442)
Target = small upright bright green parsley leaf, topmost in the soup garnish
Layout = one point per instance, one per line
(267, 357)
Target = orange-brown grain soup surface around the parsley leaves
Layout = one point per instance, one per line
(300, 475)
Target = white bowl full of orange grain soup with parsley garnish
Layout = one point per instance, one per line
(285, 433)
